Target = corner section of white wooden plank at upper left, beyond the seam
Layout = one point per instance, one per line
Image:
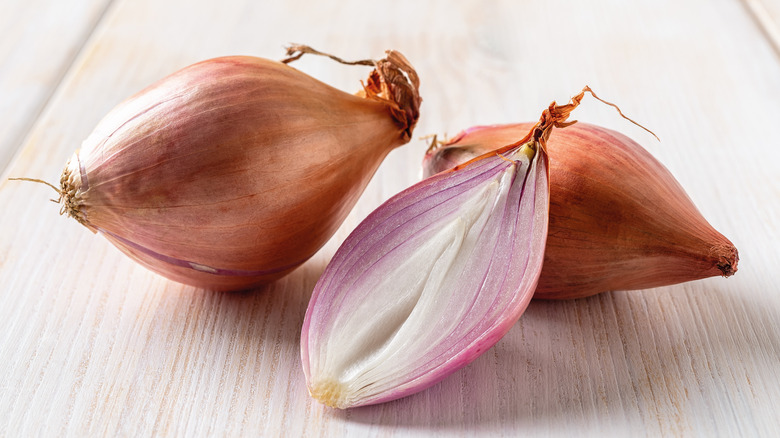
(40, 39)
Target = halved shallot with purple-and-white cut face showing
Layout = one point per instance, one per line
(428, 282)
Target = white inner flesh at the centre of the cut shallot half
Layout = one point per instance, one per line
(411, 306)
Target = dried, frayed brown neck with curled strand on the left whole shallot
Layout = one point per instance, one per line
(393, 82)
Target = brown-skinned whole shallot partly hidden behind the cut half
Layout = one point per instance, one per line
(619, 220)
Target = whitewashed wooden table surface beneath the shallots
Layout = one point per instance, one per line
(93, 344)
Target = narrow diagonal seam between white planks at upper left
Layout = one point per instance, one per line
(67, 66)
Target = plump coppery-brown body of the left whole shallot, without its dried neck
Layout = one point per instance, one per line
(234, 171)
